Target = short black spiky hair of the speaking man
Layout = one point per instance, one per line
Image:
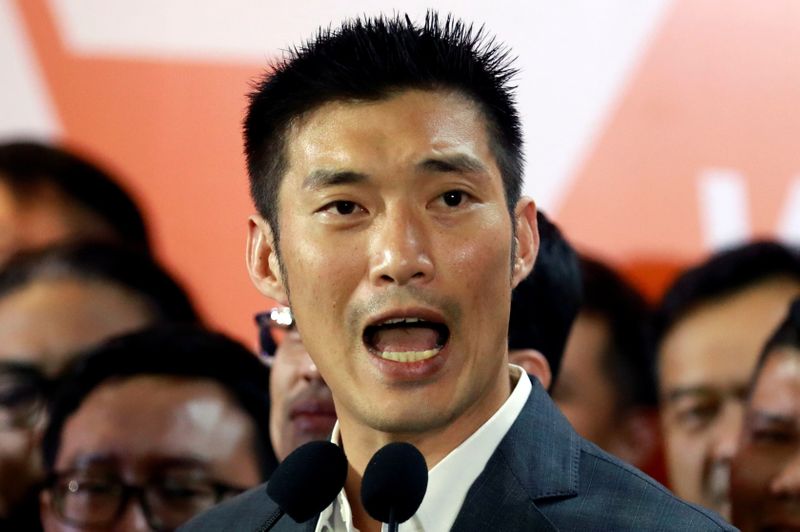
(369, 59)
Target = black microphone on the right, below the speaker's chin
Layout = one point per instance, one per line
(394, 484)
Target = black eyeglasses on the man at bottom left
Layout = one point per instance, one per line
(82, 499)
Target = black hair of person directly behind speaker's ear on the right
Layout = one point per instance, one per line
(545, 304)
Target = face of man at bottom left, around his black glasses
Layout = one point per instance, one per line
(142, 426)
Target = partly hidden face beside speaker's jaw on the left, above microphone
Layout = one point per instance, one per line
(301, 406)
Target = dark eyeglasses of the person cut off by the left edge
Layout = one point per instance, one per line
(23, 395)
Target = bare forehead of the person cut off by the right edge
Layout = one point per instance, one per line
(777, 389)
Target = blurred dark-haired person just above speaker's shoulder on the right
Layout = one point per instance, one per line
(607, 386)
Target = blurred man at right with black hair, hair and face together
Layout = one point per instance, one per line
(711, 325)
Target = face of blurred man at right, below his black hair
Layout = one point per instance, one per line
(705, 364)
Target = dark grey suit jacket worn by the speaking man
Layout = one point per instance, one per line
(543, 476)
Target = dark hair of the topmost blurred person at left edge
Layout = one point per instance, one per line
(27, 165)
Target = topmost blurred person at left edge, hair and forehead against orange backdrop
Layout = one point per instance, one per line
(49, 194)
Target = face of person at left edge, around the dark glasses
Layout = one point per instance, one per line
(43, 324)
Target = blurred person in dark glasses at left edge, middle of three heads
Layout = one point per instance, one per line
(53, 303)
